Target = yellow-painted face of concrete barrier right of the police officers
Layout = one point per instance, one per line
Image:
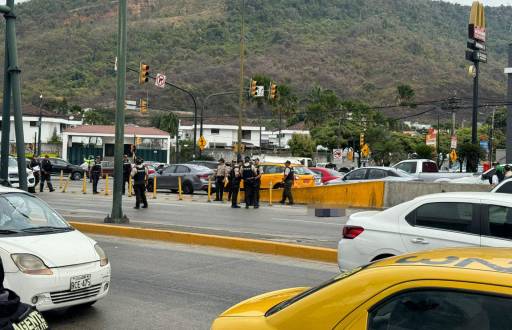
(362, 195)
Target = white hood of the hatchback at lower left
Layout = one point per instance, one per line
(56, 250)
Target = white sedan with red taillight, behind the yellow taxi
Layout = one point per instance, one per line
(427, 222)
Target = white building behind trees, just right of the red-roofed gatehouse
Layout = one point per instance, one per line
(223, 133)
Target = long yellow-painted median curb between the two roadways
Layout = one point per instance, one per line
(234, 243)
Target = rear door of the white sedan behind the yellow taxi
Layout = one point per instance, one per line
(440, 222)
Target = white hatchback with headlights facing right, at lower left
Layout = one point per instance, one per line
(48, 263)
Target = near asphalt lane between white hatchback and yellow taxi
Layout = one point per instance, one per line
(168, 286)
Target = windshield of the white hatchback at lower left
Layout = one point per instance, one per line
(24, 213)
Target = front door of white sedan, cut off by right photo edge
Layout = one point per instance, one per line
(496, 224)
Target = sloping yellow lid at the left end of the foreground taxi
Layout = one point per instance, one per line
(259, 305)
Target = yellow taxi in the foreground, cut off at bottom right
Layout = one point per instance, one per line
(450, 289)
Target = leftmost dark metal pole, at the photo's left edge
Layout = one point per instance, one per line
(6, 118)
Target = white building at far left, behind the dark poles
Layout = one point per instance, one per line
(52, 124)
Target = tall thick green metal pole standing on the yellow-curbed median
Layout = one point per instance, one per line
(117, 215)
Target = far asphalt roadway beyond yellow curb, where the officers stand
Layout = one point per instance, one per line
(194, 214)
